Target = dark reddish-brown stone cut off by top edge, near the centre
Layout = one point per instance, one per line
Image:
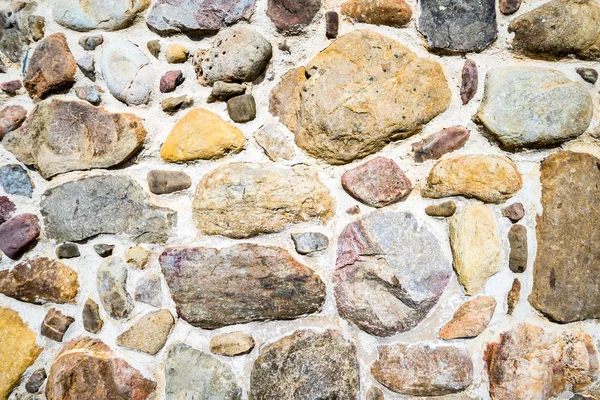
(292, 16)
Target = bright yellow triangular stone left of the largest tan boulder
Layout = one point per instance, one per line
(201, 135)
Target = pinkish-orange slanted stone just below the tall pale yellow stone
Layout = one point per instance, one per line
(471, 318)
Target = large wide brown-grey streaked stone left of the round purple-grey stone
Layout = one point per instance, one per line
(238, 284)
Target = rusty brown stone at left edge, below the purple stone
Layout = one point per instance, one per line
(40, 280)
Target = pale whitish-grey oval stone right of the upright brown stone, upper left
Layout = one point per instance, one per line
(128, 73)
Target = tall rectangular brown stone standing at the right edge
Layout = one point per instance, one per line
(564, 283)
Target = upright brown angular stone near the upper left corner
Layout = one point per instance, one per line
(51, 67)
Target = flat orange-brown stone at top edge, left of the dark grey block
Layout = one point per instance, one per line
(386, 12)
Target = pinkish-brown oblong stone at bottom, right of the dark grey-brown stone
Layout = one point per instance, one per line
(423, 370)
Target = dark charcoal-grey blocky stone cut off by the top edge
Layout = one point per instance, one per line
(459, 26)
